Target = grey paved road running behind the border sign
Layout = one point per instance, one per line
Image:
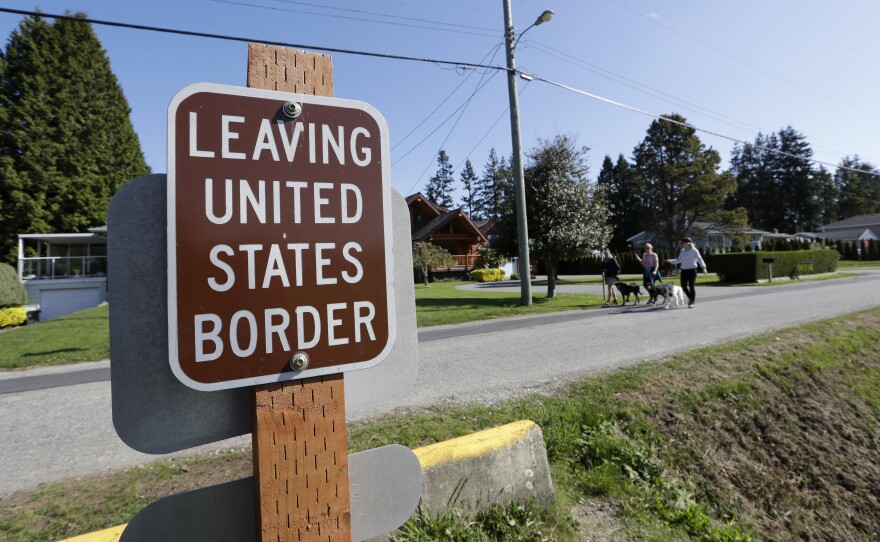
(56, 432)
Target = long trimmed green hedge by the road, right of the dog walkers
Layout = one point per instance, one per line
(749, 267)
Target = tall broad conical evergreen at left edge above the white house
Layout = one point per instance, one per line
(66, 140)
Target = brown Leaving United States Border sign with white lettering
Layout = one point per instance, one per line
(279, 236)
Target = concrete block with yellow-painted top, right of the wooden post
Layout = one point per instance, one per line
(500, 465)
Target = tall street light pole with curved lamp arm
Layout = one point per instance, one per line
(525, 271)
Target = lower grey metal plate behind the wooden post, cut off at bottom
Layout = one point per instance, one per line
(386, 484)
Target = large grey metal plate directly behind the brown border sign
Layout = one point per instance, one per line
(153, 412)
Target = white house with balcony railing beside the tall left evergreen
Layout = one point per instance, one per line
(63, 272)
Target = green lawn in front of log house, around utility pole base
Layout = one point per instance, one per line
(441, 303)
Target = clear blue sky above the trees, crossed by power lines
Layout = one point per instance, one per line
(734, 68)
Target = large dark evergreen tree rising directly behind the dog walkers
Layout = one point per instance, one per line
(680, 181)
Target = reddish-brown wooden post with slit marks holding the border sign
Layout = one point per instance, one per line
(299, 437)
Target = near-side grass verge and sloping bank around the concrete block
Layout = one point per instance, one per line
(770, 438)
